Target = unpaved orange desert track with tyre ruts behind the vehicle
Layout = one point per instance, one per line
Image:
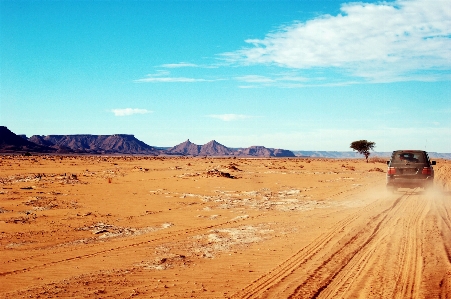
(397, 247)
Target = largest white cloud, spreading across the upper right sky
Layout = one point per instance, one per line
(389, 41)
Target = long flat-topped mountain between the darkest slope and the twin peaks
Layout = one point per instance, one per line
(97, 144)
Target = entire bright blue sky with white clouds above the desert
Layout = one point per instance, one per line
(297, 75)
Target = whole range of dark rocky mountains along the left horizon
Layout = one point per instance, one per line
(123, 144)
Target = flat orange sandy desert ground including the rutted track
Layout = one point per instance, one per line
(122, 227)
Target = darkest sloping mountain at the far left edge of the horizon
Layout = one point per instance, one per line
(10, 143)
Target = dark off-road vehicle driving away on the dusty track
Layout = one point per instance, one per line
(410, 169)
